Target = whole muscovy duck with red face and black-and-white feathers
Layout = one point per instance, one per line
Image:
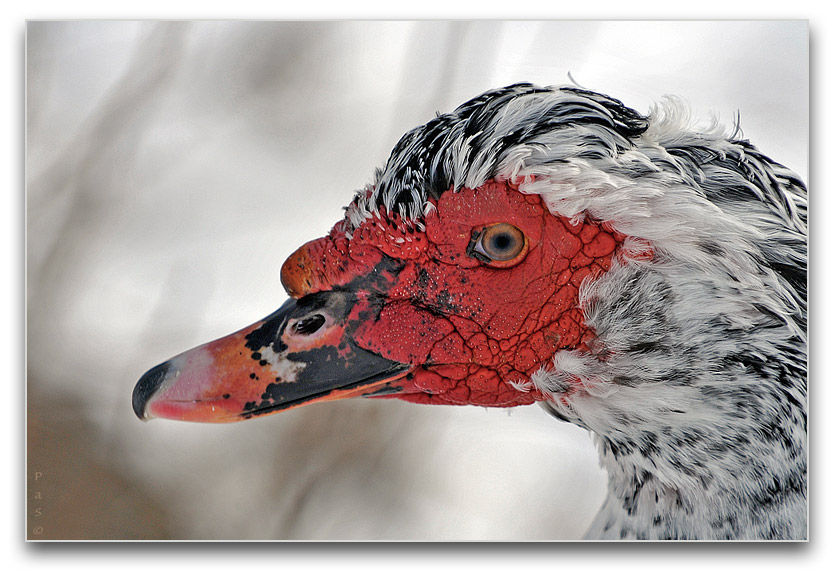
(639, 278)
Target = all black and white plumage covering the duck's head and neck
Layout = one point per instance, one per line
(696, 383)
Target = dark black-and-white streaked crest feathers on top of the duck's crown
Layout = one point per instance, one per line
(466, 147)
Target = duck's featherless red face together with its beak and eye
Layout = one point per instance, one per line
(460, 307)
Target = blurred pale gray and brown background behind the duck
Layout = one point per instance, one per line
(172, 167)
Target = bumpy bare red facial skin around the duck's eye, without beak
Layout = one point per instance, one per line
(469, 328)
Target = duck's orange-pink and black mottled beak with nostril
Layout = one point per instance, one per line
(300, 354)
